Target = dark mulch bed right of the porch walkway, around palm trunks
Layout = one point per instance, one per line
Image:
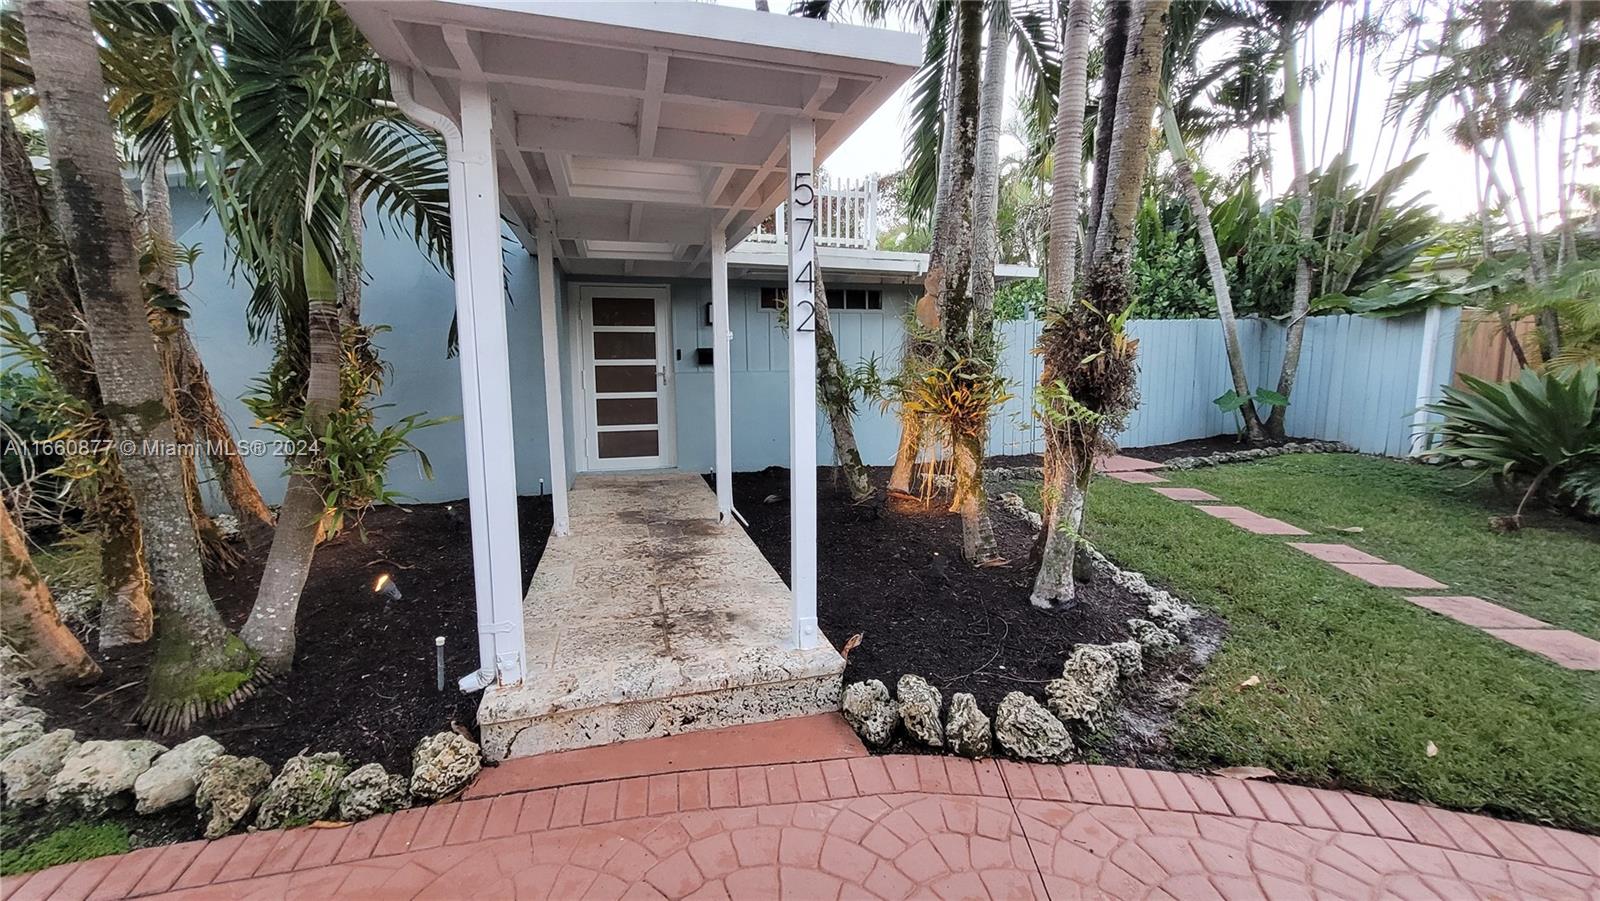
(894, 574)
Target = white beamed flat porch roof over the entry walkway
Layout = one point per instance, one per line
(638, 130)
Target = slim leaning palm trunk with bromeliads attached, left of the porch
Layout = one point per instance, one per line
(271, 625)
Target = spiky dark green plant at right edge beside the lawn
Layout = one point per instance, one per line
(1543, 430)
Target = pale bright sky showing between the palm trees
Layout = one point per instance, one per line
(1446, 180)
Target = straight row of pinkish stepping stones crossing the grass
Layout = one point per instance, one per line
(1562, 646)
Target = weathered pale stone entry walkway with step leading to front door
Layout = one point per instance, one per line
(654, 620)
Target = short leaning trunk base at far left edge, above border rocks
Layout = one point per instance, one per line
(30, 619)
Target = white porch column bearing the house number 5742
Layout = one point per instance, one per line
(802, 380)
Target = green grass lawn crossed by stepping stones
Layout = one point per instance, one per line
(1354, 681)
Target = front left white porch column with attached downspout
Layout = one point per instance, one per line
(486, 394)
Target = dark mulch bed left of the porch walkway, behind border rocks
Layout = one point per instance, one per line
(364, 681)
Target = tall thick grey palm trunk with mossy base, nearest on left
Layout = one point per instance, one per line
(199, 667)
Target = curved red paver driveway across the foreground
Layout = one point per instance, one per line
(868, 828)
